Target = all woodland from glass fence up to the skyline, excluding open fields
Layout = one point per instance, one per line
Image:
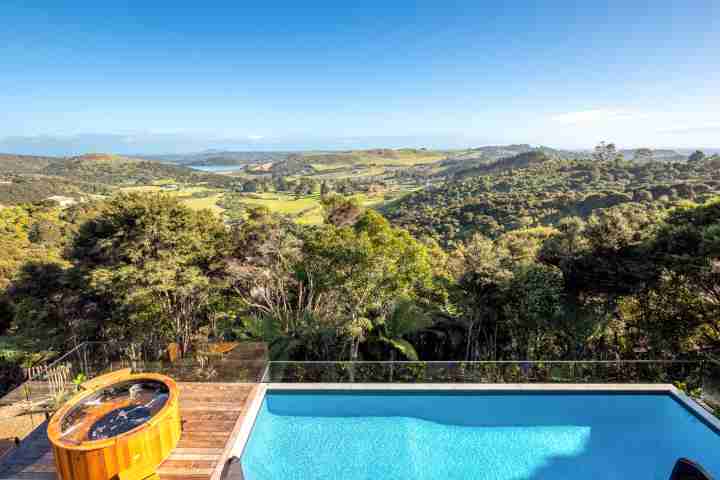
(519, 254)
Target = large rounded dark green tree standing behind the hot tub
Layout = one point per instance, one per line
(153, 261)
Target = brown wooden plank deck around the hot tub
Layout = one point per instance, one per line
(211, 415)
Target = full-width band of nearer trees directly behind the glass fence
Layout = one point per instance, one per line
(635, 280)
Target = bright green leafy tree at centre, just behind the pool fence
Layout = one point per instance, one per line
(368, 265)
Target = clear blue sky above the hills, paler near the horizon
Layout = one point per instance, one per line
(234, 74)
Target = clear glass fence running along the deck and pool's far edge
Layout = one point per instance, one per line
(56, 382)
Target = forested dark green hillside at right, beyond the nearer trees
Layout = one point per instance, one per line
(543, 192)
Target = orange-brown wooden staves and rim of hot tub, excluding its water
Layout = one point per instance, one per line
(141, 449)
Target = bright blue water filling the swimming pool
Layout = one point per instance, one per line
(482, 436)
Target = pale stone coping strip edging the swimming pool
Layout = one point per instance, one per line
(678, 395)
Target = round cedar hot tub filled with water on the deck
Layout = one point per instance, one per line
(121, 423)
